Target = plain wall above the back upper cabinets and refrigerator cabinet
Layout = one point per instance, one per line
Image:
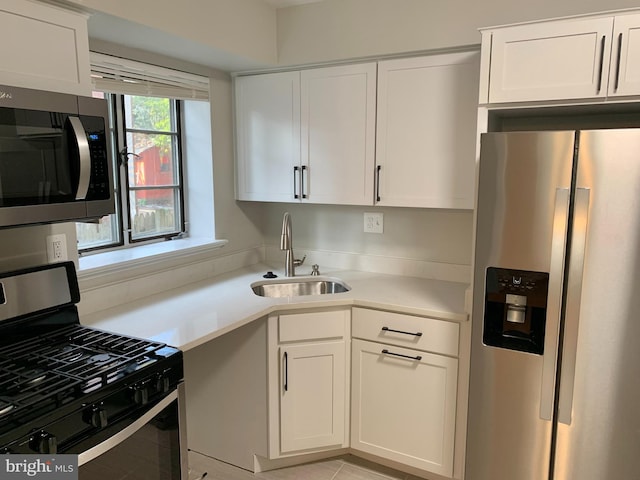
(342, 29)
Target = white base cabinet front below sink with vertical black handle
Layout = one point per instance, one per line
(308, 382)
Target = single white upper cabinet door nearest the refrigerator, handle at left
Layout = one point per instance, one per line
(425, 150)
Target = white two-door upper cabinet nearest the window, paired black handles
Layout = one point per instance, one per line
(306, 136)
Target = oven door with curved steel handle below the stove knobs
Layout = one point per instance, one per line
(151, 448)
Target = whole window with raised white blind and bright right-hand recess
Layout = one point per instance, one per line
(148, 108)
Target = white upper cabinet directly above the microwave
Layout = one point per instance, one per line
(44, 48)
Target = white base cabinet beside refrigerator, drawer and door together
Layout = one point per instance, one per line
(404, 388)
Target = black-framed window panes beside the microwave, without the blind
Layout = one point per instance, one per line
(146, 136)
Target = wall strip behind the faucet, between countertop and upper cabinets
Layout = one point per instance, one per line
(422, 242)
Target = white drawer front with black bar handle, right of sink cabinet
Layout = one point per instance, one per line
(419, 333)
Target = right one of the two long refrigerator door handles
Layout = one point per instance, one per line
(572, 311)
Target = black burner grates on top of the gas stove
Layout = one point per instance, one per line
(49, 370)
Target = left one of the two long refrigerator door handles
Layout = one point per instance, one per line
(554, 302)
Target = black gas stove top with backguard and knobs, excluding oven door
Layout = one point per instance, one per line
(65, 387)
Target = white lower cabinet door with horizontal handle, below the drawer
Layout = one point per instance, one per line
(403, 407)
